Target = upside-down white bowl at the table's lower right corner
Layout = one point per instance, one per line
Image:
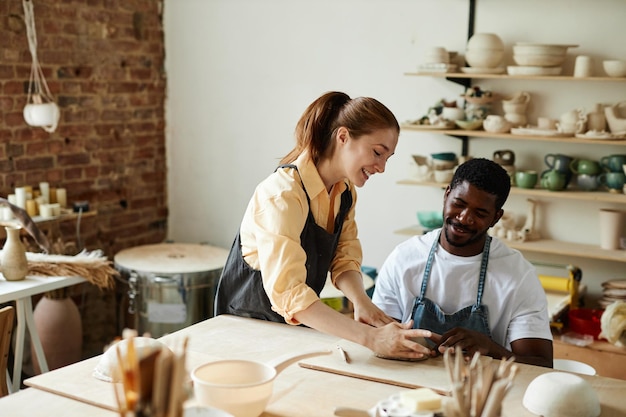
(558, 394)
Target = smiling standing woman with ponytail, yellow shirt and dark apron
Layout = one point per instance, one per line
(299, 225)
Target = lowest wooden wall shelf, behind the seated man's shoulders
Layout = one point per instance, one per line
(548, 246)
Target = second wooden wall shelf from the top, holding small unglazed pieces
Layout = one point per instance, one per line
(489, 135)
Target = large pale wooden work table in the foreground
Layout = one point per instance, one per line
(299, 390)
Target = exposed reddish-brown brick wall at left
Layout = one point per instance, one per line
(103, 62)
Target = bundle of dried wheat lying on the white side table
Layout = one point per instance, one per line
(92, 266)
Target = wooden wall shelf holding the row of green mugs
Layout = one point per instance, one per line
(601, 196)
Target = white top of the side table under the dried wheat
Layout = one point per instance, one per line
(32, 285)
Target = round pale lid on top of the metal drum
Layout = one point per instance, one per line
(172, 258)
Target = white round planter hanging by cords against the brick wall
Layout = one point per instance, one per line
(40, 110)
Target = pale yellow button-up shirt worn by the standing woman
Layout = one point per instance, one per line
(271, 227)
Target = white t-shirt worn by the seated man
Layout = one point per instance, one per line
(517, 303)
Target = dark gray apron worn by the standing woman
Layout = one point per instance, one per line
(240, 289)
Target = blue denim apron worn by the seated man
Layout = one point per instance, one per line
(427, 315)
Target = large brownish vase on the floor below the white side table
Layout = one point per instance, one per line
(59, 326)
